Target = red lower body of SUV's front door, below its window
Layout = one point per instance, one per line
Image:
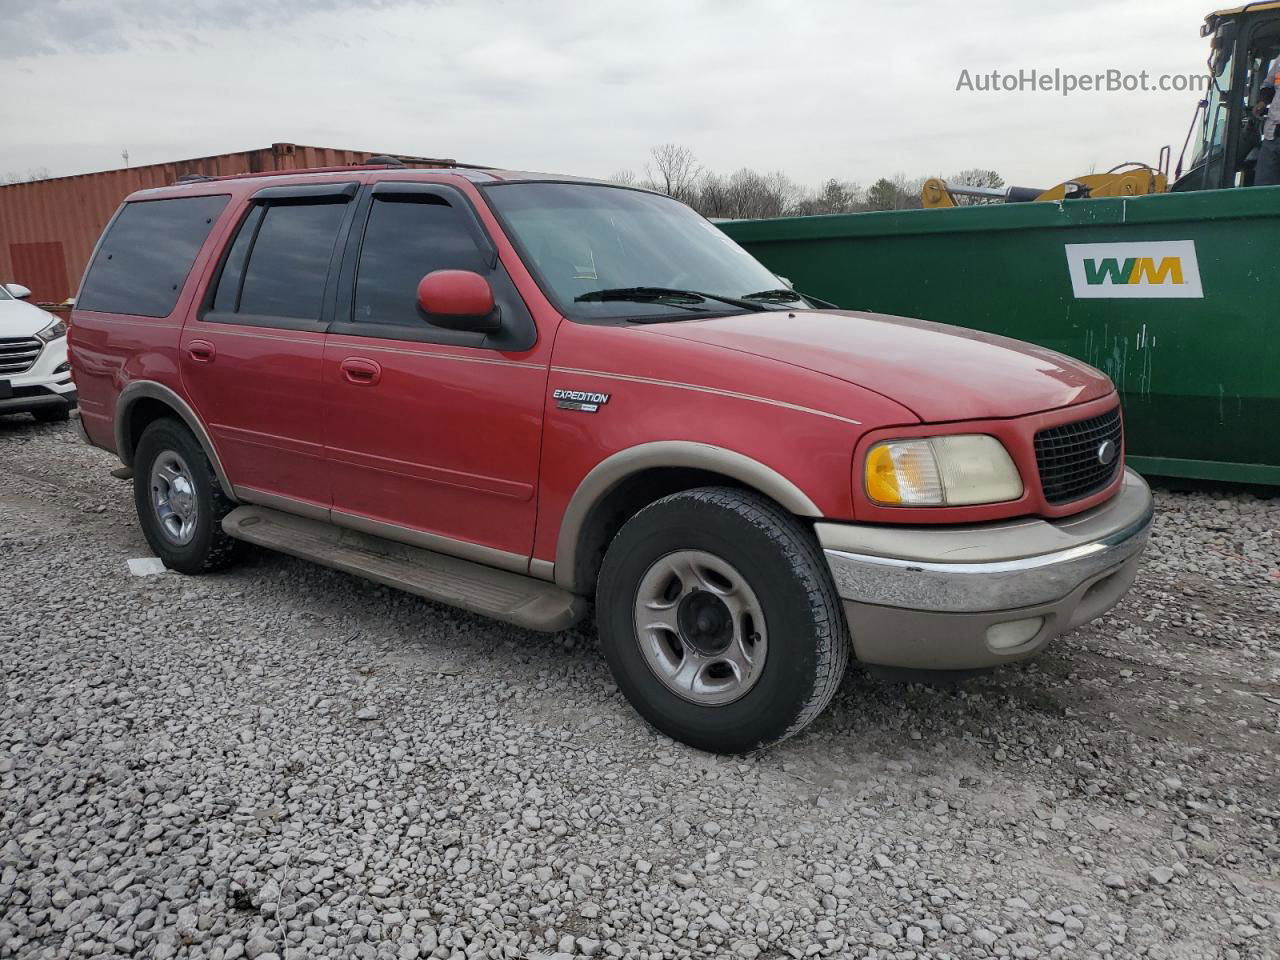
(446, 442)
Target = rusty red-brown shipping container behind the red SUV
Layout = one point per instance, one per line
(48, 228)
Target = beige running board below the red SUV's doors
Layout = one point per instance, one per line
(518, 600)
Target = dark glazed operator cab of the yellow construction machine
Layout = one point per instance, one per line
(1226, 130)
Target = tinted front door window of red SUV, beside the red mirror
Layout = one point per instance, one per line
(409, 237)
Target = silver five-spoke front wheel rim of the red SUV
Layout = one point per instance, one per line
(701, 628)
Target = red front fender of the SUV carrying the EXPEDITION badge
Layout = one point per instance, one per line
(802, 424)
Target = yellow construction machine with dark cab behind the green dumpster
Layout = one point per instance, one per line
(1246, 42)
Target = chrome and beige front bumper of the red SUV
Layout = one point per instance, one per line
(959, 598)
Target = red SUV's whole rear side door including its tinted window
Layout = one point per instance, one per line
(253, 359)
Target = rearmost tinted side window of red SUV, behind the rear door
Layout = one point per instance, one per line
(147, 255)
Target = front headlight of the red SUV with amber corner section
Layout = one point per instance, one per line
(941, 472)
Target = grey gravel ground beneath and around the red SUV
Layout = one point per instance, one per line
(287, 762)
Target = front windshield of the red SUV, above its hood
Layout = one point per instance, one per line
(584, 239)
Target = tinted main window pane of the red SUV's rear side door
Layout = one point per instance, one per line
(290, 260)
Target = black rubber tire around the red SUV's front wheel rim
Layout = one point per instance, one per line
(807, 636)
